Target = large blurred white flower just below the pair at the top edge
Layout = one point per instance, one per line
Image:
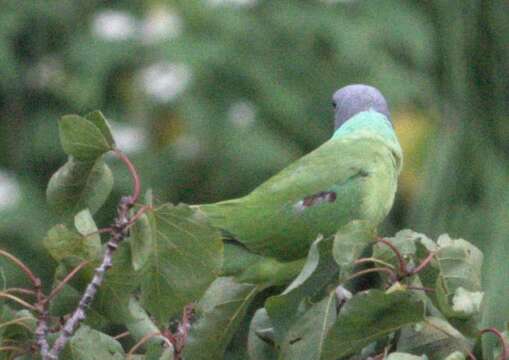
(165, 81)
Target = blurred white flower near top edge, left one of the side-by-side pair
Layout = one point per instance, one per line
(114, 25)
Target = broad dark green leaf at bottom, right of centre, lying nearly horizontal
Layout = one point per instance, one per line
(369, 316)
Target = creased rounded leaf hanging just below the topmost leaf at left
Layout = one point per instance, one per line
(78, 185)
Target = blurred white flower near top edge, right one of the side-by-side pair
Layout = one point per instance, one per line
(160, 25)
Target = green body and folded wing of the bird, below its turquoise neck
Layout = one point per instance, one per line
(342, 180)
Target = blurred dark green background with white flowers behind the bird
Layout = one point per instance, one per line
(209, 98)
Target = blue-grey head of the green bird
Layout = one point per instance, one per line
(353, 99)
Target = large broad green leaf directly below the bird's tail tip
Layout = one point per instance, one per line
(187, 256)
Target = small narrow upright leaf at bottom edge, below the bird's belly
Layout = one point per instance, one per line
(260, 341)
